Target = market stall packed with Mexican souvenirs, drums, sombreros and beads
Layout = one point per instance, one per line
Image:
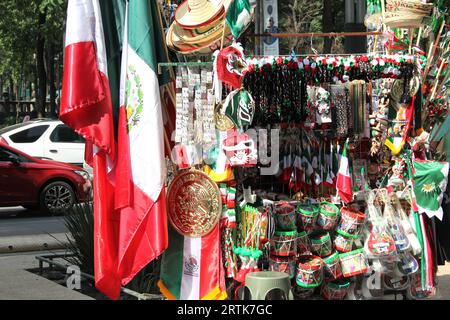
(316, 166)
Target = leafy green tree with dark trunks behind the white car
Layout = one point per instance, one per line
(31, 45)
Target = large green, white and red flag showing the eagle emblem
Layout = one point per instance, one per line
(139, 193)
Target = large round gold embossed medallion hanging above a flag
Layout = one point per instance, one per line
(194, 204)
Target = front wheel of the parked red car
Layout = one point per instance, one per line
(57, 197)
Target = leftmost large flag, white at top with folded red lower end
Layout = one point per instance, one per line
(86, 98)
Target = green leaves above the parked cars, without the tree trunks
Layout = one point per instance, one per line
(19, 31)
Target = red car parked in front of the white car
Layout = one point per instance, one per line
(35, 183)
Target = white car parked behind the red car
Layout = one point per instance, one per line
(48, 139)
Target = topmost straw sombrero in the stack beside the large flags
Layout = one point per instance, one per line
(199, 13)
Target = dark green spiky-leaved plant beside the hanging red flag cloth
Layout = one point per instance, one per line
(79, 222)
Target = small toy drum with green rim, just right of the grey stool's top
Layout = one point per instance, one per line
(309, 272)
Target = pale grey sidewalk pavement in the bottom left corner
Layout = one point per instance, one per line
(18, 284)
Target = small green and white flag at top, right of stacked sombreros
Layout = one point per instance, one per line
(239, 16)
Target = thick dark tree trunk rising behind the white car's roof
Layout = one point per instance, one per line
(40, 66)
